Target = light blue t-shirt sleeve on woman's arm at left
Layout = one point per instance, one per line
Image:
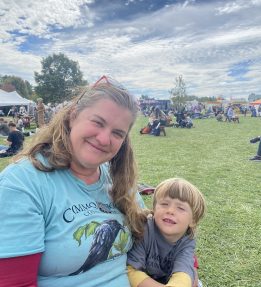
(22, 222)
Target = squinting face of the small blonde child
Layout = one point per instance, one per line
(172, 217)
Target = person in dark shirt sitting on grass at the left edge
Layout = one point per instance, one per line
(15, 141)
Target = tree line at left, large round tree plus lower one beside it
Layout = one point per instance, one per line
(58, 80)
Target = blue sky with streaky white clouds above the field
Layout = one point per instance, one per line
(144, 44)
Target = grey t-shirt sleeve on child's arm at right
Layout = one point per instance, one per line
(184, 261)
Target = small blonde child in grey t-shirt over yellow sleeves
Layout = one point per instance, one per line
(165, 255)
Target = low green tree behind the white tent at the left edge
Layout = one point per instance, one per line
(11, 83)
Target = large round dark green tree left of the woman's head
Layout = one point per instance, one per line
(59, 78)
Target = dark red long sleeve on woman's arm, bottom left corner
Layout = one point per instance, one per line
(19, 271)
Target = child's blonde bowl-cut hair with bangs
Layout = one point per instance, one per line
(179, 188)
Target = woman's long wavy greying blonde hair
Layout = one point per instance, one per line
(53, 143)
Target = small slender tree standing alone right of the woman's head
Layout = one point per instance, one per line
(178, 94)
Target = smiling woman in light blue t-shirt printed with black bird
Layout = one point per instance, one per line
(68, 204)
